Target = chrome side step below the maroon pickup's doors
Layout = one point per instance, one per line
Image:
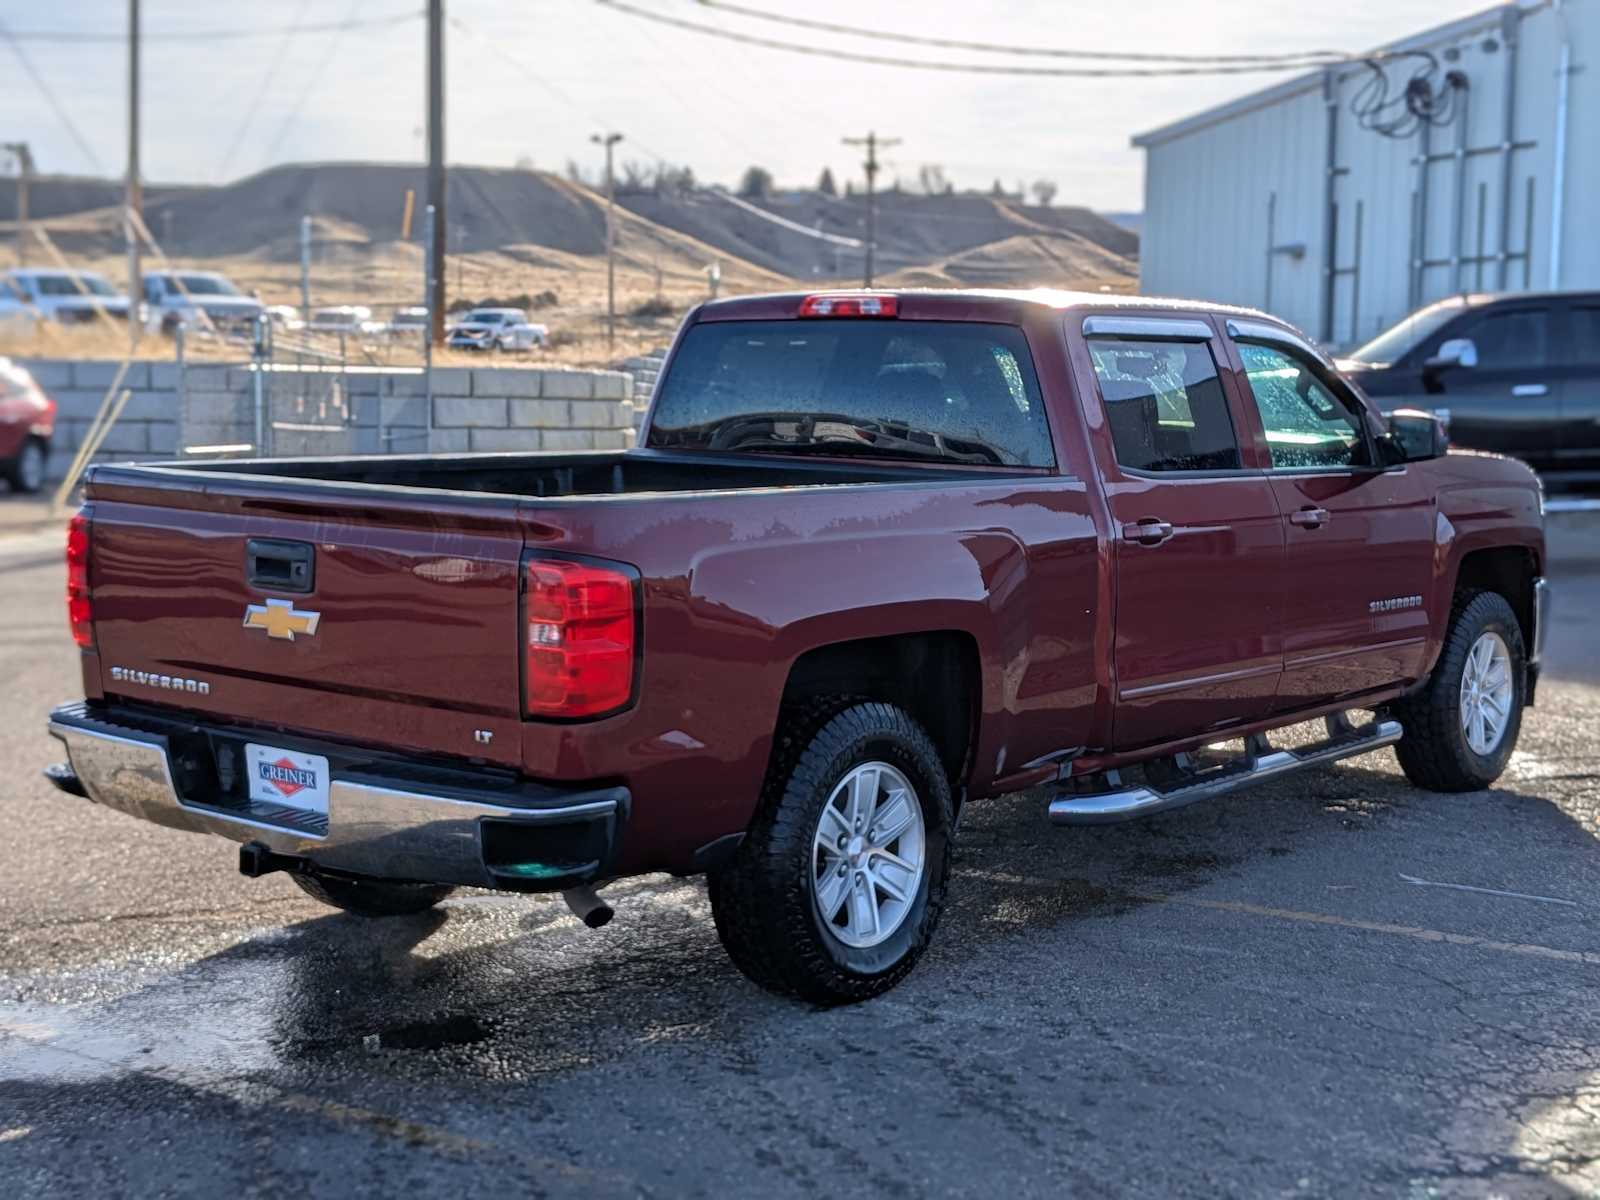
(1260, 762)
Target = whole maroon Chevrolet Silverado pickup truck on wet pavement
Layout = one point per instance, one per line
(879, 556)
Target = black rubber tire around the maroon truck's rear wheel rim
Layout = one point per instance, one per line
(764, 902)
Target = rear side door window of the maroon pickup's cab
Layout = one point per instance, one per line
(1166, 406)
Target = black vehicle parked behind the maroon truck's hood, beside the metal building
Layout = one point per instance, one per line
(1516, 374)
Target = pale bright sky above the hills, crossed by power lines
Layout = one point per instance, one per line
(532, 79)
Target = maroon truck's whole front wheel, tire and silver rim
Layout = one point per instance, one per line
(1463, 726)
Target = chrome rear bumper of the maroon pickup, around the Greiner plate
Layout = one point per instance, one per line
(374, 828)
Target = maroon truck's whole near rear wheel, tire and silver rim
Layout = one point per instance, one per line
(838, 889)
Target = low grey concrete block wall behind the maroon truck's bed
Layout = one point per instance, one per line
(358, 412)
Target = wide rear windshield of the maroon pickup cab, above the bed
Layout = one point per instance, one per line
(946, 391)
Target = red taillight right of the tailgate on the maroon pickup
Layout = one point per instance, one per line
(580, 639)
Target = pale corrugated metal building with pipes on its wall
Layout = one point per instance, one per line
(1337, 204)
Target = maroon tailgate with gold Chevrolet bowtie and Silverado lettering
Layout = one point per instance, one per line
(404, 638)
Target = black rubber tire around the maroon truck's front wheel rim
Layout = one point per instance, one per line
(1434, 751)
